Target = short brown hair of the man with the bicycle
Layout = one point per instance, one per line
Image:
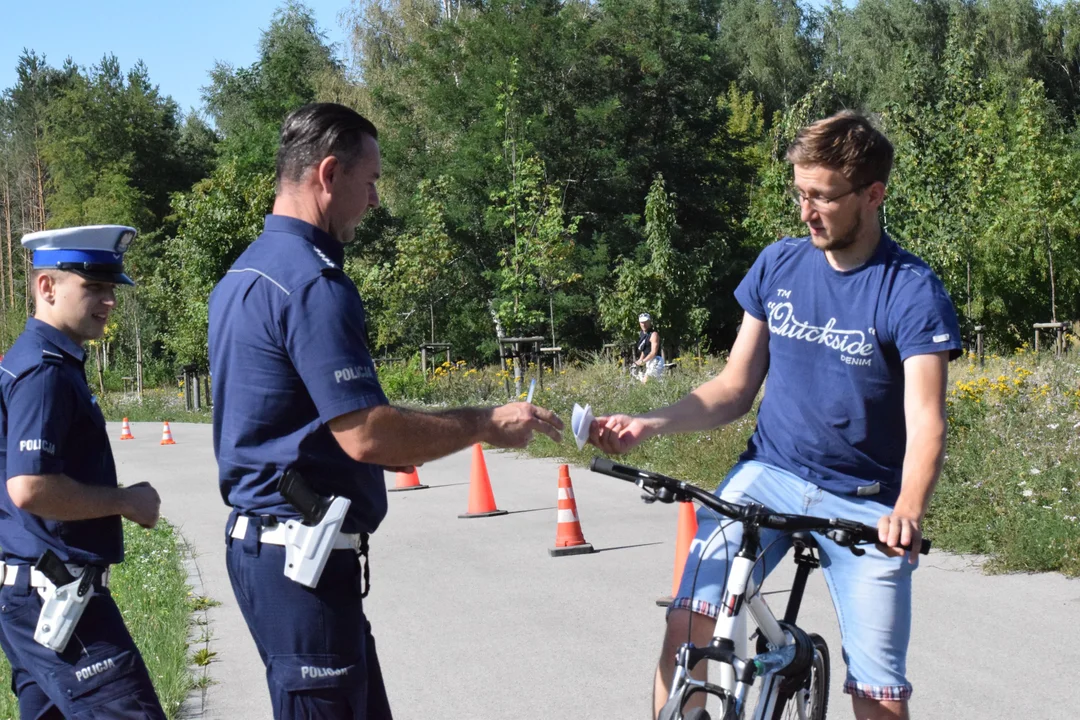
(846, 143)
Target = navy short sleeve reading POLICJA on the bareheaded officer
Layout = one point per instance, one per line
(326, 336)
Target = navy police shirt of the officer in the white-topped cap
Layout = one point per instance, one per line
(51, 426)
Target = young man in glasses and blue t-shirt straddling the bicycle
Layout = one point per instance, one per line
(855, 335)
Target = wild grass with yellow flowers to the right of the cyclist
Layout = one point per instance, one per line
(1010, 490)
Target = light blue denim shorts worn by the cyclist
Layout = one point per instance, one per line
(872, 594)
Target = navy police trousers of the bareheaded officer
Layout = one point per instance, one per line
(317, 645)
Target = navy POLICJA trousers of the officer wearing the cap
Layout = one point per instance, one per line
(100, 675)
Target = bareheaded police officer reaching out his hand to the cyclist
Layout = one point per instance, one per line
(295, 392)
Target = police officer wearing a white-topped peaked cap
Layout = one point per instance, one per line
(61, 493)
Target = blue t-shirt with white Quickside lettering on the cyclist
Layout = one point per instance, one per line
(833, 411)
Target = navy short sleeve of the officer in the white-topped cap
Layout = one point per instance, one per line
(40, 406)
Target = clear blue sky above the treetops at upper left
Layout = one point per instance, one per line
(180, 40)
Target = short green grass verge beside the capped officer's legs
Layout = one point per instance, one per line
(151, 588)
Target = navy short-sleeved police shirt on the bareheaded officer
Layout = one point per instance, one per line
(288, 355)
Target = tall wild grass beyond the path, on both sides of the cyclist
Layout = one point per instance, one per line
(1010, 490)
